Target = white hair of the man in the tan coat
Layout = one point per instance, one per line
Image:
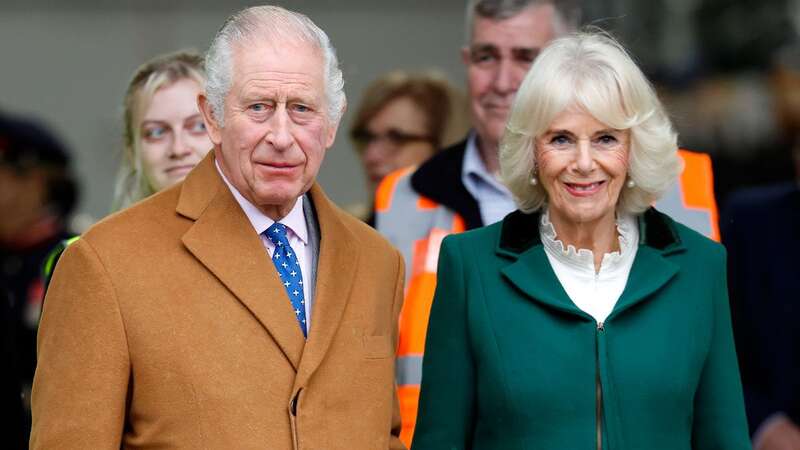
(271, 23)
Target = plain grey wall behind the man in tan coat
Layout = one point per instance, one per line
(69, 62)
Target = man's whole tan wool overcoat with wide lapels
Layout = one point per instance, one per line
(166, 326)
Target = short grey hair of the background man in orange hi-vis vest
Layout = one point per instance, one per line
(565, 20)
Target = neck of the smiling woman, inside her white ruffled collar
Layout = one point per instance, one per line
(599, 236)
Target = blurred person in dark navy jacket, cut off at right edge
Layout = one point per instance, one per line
(761, 230)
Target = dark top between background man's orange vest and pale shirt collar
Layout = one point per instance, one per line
(439, 179)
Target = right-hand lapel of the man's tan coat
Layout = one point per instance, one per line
(336, 270)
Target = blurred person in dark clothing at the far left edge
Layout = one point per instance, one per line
(38, 192)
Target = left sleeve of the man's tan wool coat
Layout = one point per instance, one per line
(81, 382)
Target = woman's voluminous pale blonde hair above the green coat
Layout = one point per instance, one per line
(591, 71)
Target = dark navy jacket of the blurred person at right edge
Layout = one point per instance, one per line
(761, 229)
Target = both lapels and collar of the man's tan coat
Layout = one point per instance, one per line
(223, 240)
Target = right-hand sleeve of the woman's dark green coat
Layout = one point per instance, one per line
(719, 418)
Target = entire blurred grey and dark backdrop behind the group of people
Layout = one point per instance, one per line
(727, 70)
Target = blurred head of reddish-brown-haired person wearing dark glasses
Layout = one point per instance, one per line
(404, 118)
